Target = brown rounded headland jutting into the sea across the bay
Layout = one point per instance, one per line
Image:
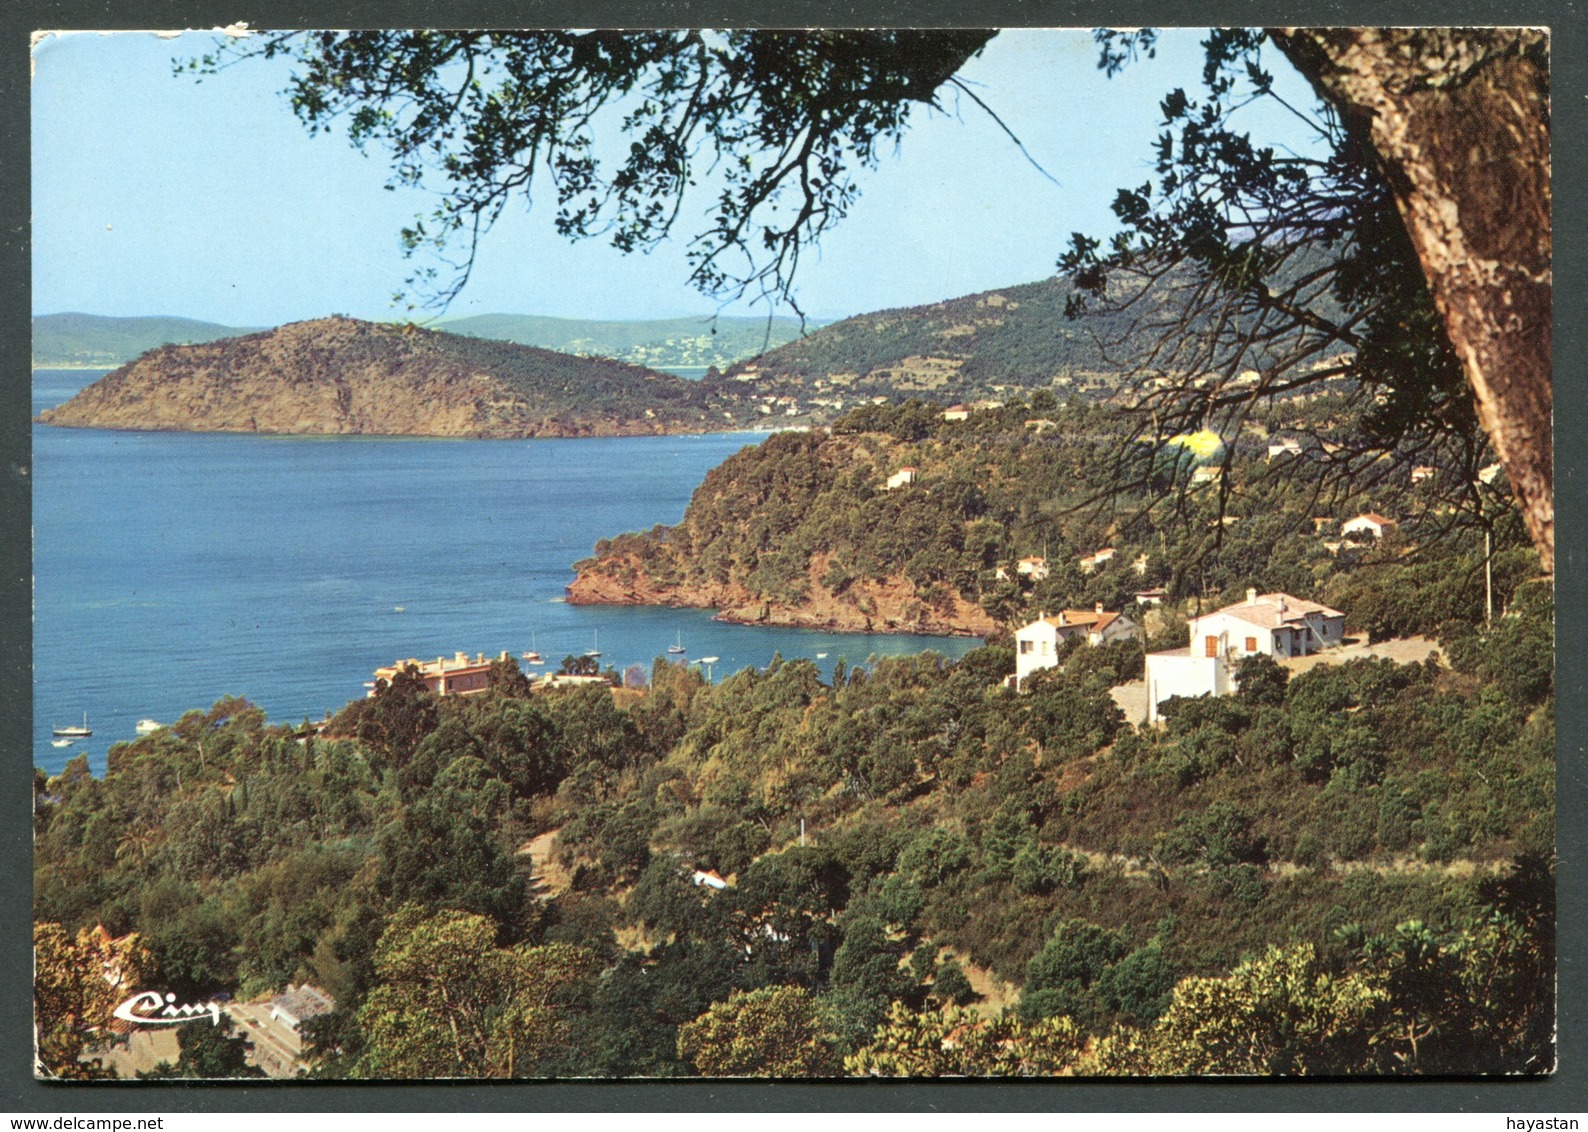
(347, 377)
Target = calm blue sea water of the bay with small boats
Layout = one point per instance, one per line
(174, 569)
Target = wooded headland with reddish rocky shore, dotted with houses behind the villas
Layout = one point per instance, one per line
(804, 529)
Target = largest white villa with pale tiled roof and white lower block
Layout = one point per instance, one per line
(1274, 625)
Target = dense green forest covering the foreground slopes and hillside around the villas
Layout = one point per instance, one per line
(915, 871)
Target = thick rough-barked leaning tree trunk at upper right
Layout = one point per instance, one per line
(1462, 126)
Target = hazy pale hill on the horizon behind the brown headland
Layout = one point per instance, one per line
(658, 344)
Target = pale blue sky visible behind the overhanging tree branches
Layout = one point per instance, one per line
(156, 194)
